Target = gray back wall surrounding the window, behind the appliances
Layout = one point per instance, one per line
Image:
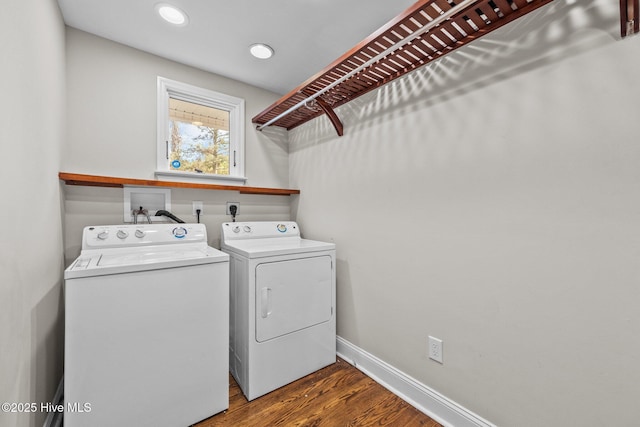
(111, 128)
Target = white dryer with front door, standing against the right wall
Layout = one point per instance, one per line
(282, 304)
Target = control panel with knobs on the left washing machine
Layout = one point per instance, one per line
(116, 236)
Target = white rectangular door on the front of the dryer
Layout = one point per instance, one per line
(292, 295)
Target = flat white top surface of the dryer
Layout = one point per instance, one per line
(258, 248)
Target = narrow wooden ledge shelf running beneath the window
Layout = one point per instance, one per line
(108, 181)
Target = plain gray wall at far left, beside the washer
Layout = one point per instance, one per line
(32, 83)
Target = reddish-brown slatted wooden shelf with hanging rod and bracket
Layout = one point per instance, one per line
(412, 39)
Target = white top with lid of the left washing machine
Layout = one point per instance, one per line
(117, 261)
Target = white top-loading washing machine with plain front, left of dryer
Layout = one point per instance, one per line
(146, 327)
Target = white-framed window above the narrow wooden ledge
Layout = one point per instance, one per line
(200, 133)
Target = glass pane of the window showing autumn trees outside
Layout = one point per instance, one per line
(199, 138)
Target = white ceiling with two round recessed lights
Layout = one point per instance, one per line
(307, 35)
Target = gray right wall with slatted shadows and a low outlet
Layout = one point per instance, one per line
(492, 200)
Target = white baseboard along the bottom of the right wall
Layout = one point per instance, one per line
(426, 400)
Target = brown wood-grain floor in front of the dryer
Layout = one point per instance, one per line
(338, 395)
